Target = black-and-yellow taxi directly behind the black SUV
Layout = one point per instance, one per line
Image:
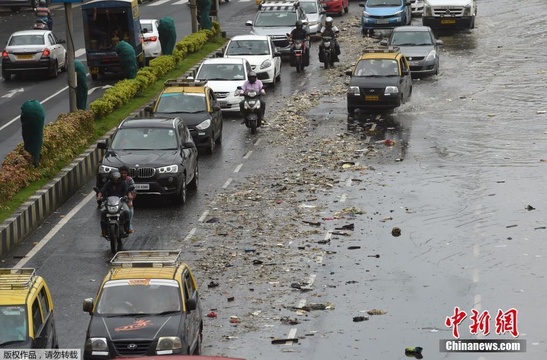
(196, 104)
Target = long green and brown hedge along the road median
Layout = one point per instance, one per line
(70, 134)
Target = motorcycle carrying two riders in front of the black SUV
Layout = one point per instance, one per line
(116, 219)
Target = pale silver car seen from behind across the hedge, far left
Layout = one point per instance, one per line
(33, 51)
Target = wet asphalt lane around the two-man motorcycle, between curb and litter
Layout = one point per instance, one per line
(76, 258)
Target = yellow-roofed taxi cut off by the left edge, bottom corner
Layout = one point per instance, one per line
(26, 311)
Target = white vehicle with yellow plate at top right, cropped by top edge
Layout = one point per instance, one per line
(449, 14)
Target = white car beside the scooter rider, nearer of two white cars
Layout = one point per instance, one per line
(224, 75)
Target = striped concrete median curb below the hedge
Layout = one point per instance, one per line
(29, 216)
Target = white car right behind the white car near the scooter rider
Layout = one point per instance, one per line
(261, 53)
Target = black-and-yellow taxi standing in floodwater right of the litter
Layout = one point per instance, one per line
(381, 79)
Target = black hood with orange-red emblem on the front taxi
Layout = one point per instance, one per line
(134, 327)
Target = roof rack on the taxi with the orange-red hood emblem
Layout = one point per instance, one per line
(146, 258)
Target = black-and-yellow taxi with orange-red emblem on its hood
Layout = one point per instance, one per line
(148, 304)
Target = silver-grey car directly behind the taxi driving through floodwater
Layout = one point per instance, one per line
(419, 46)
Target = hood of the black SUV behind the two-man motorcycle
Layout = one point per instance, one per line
(143, 158)
